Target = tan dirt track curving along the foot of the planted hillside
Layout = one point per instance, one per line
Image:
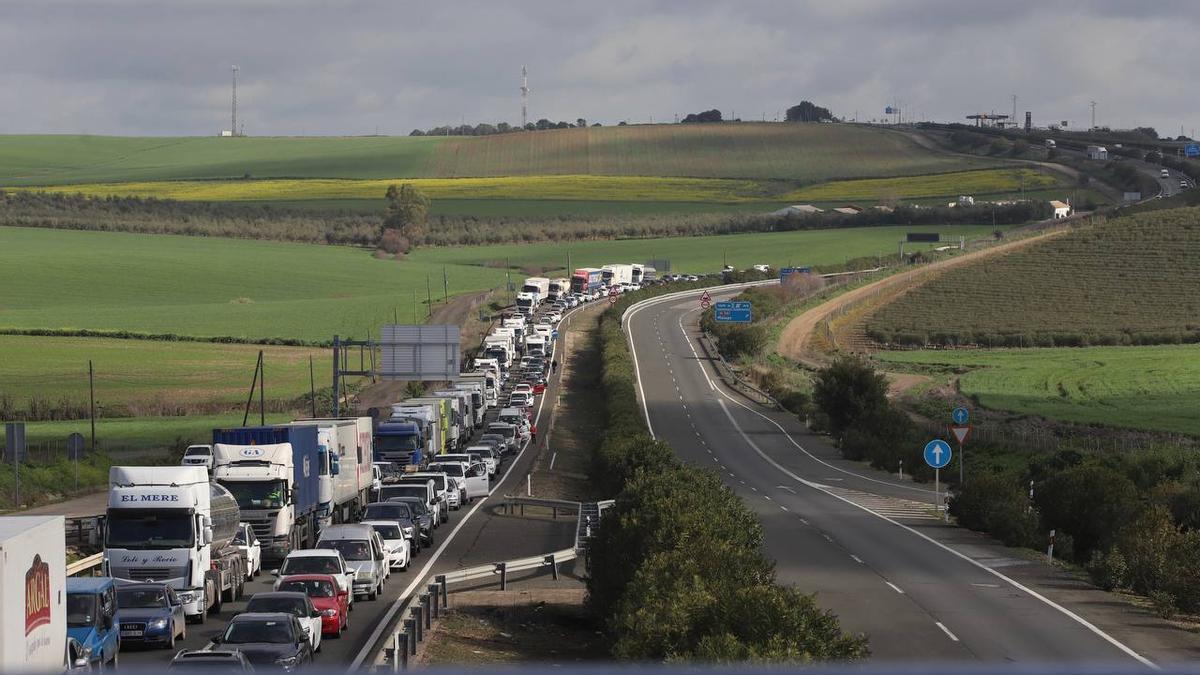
(796, 339)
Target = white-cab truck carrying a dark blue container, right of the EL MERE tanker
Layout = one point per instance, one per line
(274, 474)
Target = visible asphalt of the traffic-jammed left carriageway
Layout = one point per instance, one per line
(473, 536)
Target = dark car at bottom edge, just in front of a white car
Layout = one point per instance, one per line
(268, 641)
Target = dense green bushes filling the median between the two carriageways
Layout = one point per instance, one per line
(677, 571)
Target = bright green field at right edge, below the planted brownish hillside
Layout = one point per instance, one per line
(1155, 387)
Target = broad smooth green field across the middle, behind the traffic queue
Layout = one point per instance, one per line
(212, 286)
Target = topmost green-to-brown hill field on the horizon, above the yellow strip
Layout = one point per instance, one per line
(789, 152)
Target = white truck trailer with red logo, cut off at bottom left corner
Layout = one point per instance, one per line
(33, 594)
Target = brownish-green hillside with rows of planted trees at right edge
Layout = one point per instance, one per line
(1130, 280)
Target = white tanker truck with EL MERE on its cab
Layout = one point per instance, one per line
(171, 524)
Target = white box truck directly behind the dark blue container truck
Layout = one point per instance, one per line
(346, 467)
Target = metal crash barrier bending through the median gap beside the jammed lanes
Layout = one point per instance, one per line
(418, 614)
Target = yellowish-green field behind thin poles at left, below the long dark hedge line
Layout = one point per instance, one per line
(148, 374)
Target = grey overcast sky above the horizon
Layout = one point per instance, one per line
(351, 67)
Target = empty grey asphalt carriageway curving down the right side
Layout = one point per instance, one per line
(854, 537)
